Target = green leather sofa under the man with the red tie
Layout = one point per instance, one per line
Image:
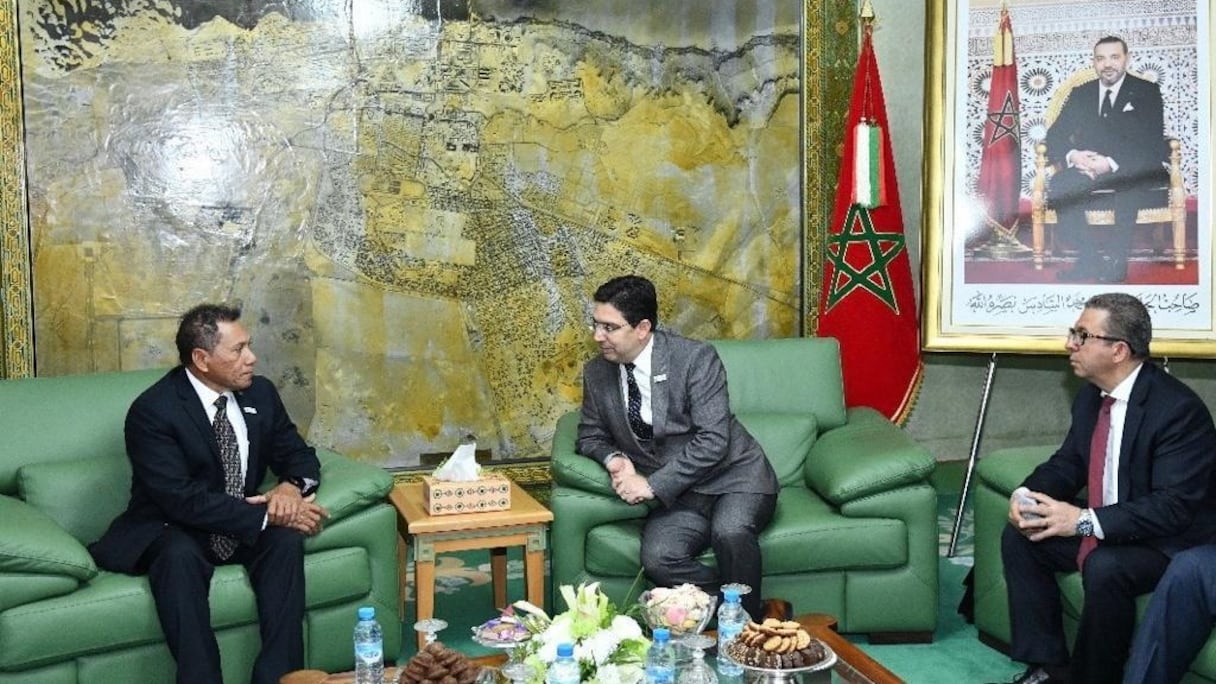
(997, 476)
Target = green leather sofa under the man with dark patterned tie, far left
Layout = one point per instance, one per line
(65, 475)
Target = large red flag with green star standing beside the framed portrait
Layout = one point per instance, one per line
(868, 301)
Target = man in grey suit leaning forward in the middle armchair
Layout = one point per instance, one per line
(657, 414)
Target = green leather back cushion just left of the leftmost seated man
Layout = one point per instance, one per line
(58, 487)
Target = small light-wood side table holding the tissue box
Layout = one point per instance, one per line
(525, 525)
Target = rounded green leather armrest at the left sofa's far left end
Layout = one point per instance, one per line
(35, 543)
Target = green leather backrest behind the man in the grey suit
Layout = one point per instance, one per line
(786, 393)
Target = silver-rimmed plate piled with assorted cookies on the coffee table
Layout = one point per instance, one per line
(780, 648)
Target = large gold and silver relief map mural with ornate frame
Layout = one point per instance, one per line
(414, 201)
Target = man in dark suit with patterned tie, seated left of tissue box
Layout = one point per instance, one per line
(200, 442)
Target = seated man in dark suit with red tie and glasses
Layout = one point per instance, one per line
(1141, 444)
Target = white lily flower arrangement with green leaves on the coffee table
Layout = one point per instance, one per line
(611, 648)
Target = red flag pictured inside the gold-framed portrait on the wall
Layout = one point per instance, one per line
(1000, 184)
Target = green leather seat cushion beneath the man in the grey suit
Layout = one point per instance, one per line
(802, 525)
